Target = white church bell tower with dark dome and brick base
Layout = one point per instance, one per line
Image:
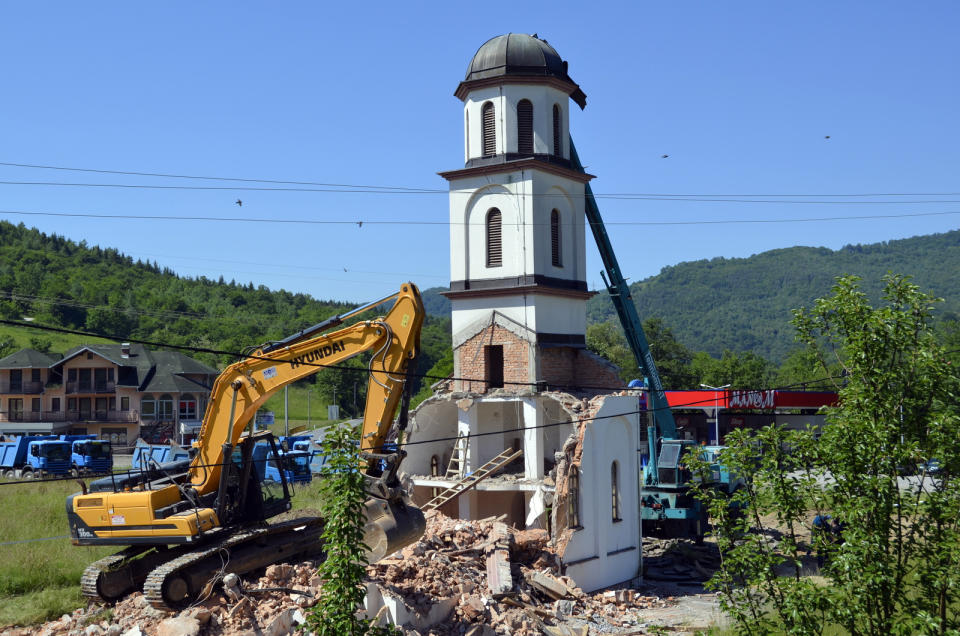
(517, 235)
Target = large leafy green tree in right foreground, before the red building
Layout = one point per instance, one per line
(893, 566)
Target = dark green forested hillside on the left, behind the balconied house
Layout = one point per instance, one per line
(56, 281)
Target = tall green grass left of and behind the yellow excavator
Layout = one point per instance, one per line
(40, 580)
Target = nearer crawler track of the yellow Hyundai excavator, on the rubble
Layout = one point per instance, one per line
(178, 582)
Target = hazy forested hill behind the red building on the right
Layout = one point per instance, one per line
(744, 304)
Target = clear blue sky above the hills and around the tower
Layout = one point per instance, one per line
(740, 95)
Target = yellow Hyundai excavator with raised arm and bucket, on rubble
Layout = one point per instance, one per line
(187, 525)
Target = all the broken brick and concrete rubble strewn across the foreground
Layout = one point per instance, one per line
(463, 577)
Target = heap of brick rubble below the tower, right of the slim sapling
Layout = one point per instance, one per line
(487, 578)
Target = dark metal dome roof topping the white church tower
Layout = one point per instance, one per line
(518, 55)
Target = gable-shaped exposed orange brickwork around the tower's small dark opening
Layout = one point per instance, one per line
(472, 362)
